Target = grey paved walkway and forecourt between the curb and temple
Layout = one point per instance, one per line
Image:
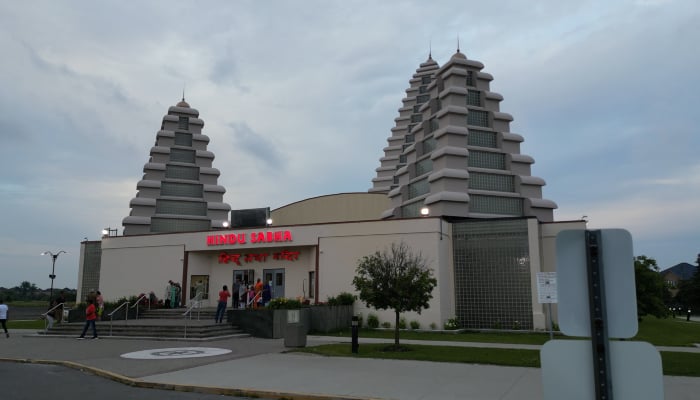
(260, 367)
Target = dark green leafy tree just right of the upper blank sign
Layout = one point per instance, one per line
(651, 288)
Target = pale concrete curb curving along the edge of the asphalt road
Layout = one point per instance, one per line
(241, 392)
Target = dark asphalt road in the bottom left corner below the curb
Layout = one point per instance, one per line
(40, 381)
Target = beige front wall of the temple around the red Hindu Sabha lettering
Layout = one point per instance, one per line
(140, 264)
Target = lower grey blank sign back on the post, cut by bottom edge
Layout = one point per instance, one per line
(567, 370)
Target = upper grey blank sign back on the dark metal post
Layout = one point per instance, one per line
(618, 275)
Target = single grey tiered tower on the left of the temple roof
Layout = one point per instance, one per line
(179, 190)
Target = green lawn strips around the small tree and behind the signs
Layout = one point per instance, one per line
(659, 332)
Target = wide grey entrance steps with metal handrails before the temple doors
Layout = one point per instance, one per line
(158, 324)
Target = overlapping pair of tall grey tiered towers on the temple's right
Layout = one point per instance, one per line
(451, 150)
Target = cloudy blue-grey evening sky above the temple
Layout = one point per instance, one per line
(298, 98)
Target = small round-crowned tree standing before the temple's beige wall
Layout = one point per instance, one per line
(395, 279)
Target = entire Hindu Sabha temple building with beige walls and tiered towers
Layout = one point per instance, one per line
(452, 185)
